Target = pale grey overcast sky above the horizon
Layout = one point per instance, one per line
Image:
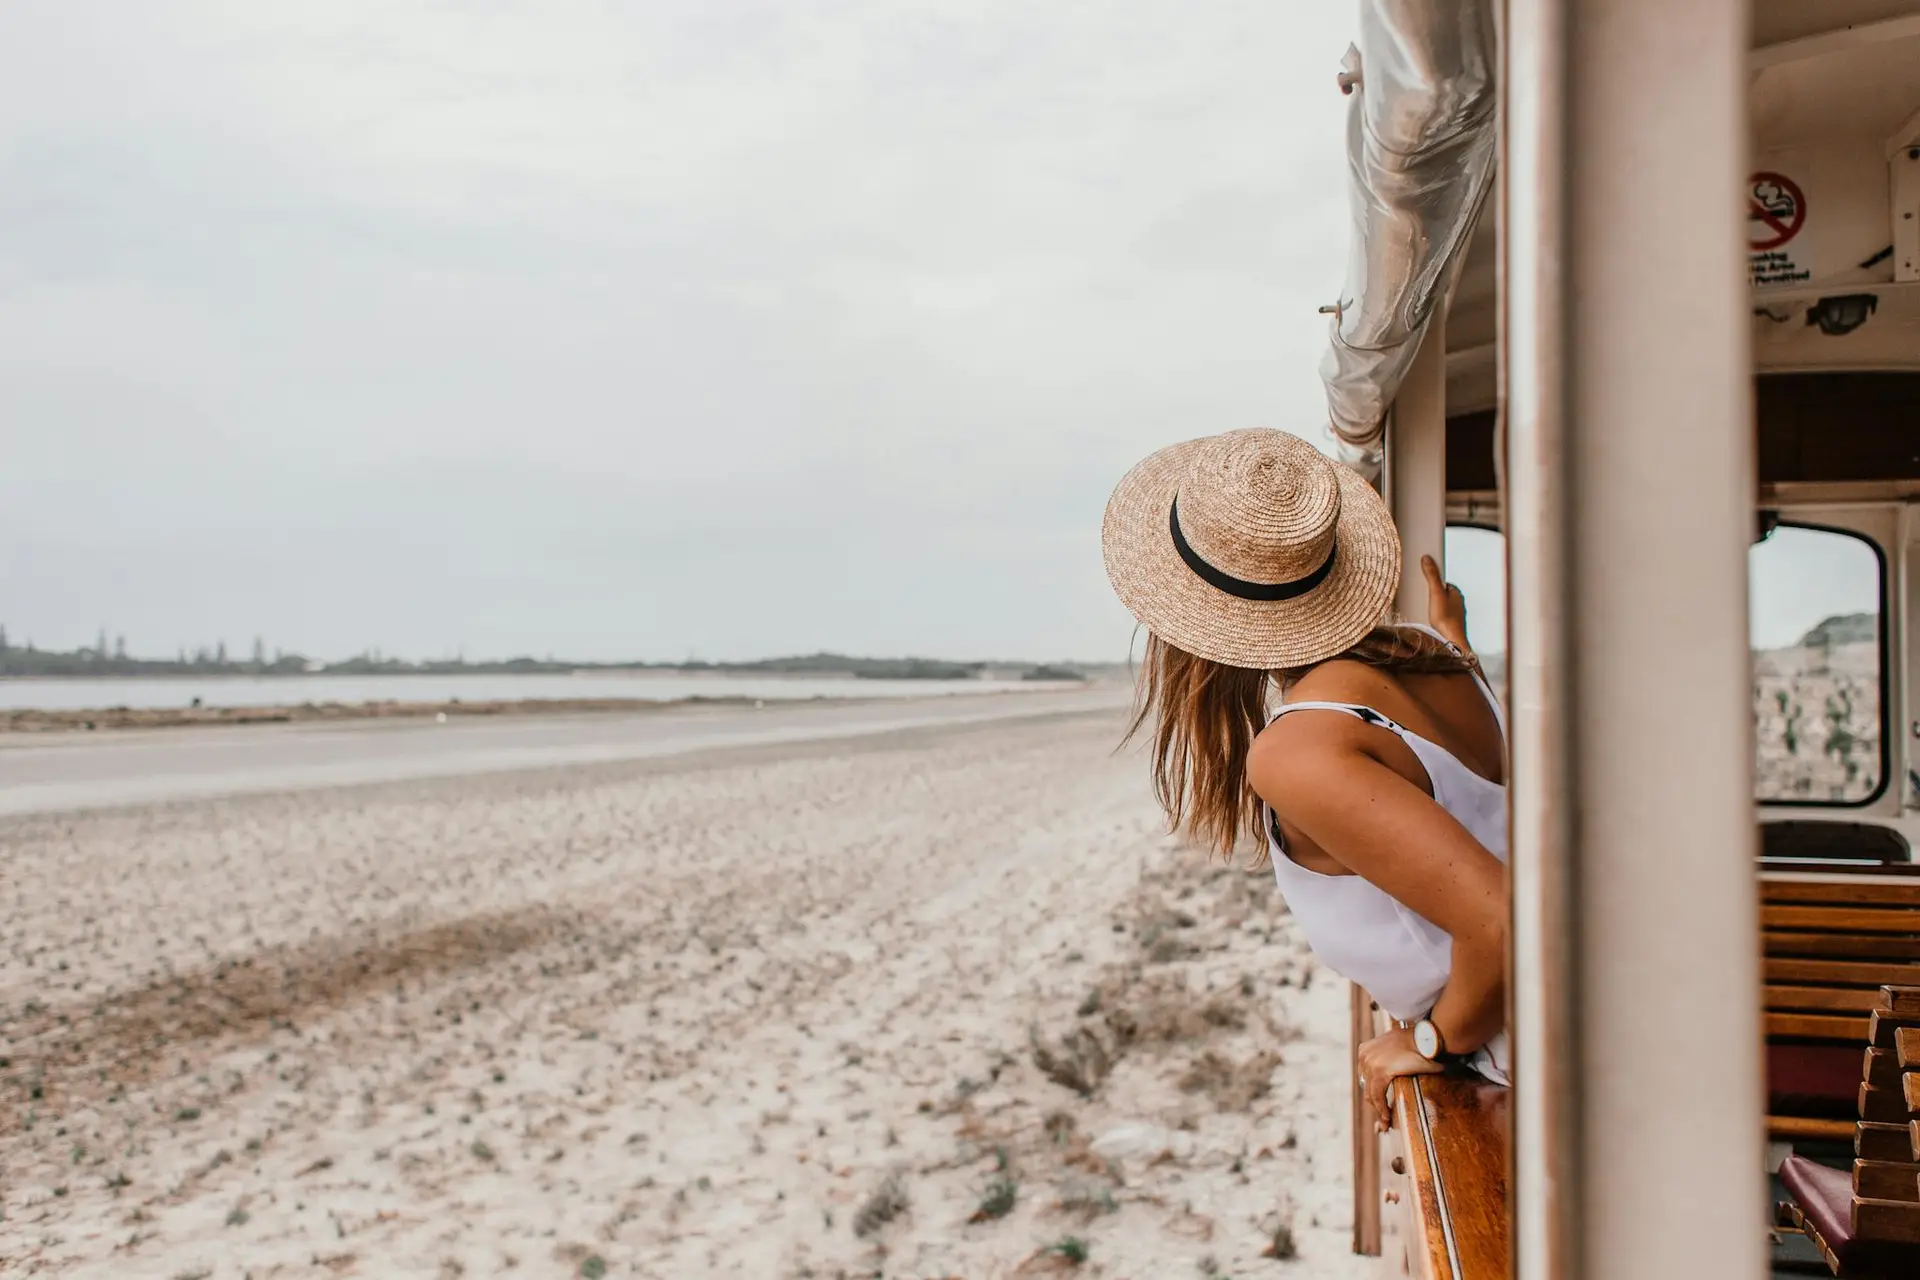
(661, 329)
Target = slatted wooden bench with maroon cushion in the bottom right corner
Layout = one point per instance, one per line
(1867, 1223)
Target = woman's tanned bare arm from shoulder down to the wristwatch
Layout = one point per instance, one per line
(1324, 778)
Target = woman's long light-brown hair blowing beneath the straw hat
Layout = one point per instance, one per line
(1207, 717)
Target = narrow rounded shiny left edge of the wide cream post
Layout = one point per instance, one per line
(1543, 980)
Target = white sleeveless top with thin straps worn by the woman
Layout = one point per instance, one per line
(1362, 934)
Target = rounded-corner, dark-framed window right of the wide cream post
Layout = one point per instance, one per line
(1815, 617)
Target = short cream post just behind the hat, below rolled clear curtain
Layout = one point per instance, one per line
(1416, 481)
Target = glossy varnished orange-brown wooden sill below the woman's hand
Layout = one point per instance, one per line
(1456, 1133)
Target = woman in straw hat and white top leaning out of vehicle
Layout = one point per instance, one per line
(1378, 786)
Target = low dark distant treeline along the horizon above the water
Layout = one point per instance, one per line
(112, 659)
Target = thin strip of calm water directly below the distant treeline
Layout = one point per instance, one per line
(297, 690)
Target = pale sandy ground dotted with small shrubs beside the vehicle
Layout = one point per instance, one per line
(926, 1003)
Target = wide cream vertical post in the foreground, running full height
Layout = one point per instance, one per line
(1631, 486)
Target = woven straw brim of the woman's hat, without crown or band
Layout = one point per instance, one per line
(1188, 613)
